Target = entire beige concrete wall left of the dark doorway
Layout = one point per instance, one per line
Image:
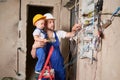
(9, 40)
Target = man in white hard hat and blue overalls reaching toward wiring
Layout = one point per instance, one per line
(57, 61)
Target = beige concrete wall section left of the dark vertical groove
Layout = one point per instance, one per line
(9, 17)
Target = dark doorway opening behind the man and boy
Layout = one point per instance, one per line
(31, 11)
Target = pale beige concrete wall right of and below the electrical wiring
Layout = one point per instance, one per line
(108, 62)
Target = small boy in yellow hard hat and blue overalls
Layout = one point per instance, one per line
(39, 35)
